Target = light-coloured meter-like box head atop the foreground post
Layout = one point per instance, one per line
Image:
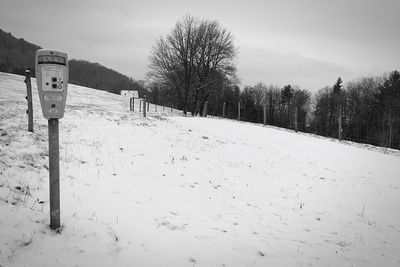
(52, 81)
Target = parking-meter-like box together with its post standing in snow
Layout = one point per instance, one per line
(52, 82)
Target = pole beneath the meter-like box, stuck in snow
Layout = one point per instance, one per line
(54, 174)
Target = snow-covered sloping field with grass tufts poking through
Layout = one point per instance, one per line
(175, 191)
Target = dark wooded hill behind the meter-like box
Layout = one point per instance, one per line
(16, 55)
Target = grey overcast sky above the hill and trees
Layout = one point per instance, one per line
(308, 43)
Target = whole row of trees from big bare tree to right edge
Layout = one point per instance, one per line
(193, 66)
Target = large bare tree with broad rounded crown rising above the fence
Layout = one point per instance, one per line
(193, 59)
